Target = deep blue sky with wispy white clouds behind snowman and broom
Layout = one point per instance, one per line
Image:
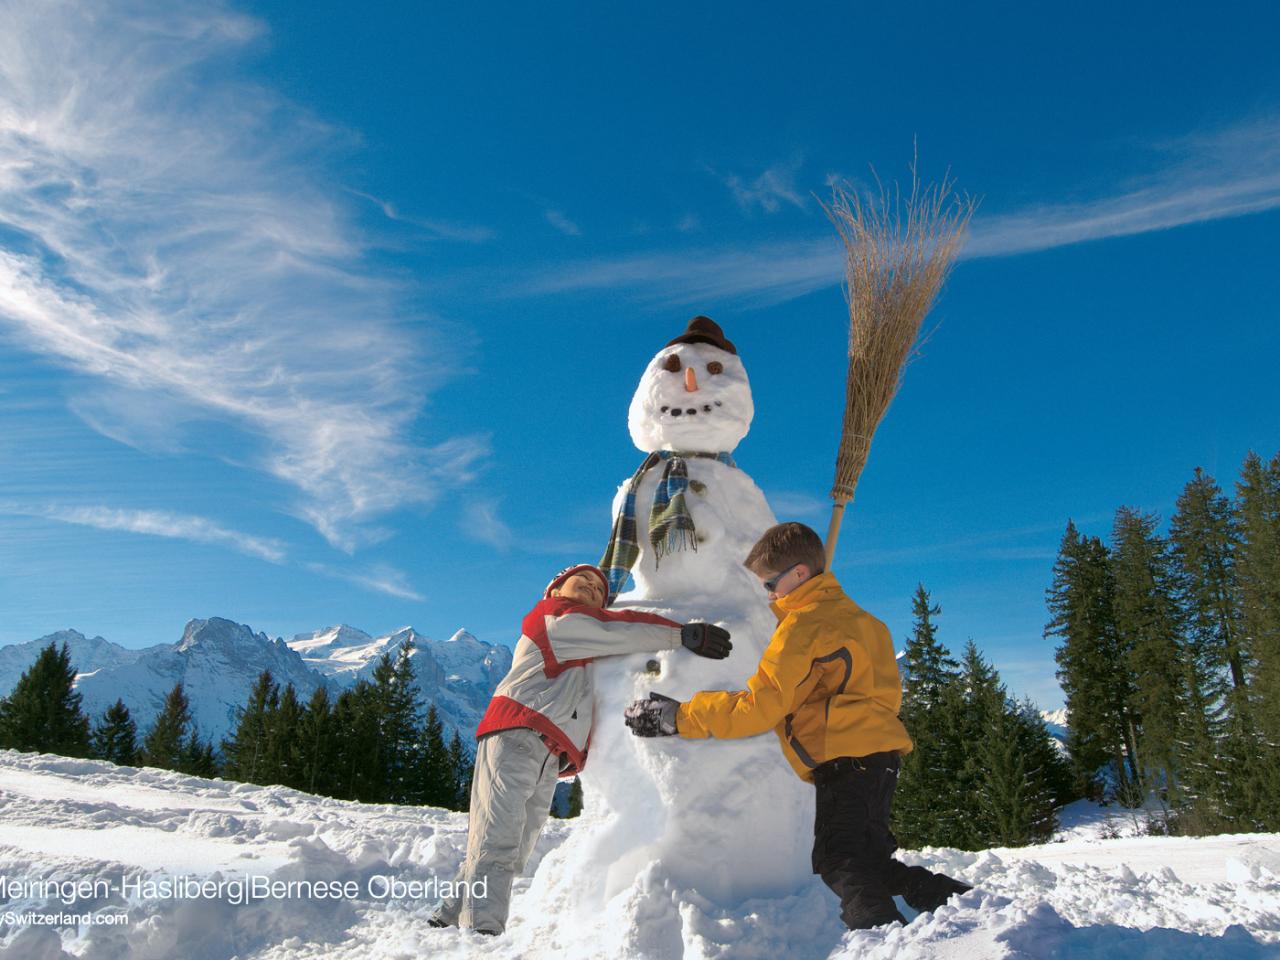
(321, 314)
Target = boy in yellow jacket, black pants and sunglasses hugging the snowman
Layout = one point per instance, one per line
(829, 687)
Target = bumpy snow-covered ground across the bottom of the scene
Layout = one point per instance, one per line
(1103, 890)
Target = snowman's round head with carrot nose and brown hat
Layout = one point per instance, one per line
(694, 395)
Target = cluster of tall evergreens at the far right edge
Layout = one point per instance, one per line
(1169, 655)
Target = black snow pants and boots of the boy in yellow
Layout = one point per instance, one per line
(853, 845)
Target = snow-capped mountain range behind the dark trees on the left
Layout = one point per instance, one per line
(220, 660)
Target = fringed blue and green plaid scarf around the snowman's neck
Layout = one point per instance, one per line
(671, 527)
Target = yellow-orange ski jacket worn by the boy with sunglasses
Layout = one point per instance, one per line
(828, 684)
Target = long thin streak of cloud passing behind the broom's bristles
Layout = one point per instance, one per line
(1210, 176)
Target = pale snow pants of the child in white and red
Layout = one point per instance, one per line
(511, 796)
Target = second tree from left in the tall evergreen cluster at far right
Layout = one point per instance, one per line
(1148, 628)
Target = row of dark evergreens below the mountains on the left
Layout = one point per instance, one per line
(373, 744)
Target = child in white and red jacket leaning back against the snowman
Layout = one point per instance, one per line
(538, 728)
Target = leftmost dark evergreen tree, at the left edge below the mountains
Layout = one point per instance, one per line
(43, 714)
